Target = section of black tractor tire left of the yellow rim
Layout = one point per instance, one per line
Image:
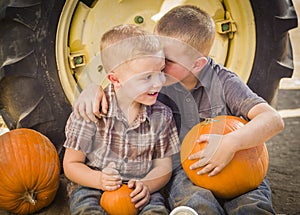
(31, 95)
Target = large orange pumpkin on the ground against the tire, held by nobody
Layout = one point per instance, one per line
(30, 169)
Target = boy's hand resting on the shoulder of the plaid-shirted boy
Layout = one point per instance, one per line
(88, 103)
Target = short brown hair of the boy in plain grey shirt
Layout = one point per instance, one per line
(189, 24)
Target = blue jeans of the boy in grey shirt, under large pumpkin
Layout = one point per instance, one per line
(181, 191)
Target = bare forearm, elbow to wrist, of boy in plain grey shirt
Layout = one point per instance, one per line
(265, 122)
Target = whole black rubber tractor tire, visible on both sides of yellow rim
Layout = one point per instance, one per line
(31, 93)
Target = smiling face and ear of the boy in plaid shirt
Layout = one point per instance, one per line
(140, 79)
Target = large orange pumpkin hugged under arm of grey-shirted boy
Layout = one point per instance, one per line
(246, 170)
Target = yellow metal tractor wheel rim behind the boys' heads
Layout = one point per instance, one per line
(81, 27)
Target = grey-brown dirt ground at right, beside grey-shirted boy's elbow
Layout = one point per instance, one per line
(284, 157)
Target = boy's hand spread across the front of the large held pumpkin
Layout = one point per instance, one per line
(217, 154)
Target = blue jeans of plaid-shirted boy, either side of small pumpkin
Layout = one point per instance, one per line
(86, 201)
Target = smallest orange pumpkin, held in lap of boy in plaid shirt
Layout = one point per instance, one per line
(118, 202)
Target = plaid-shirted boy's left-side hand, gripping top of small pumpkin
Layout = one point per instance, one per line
(111, 179)
